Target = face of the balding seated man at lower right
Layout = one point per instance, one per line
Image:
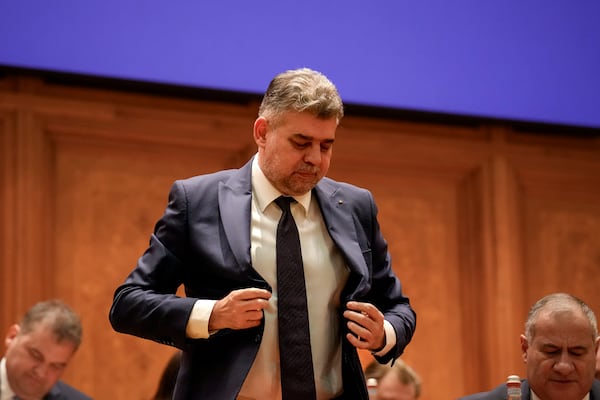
(561, 357)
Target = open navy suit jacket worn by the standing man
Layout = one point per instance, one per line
(203, 242)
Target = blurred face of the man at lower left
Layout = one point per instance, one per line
(35, 360)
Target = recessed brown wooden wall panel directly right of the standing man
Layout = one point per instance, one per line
(417, 182)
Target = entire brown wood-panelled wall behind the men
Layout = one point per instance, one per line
(480, 220)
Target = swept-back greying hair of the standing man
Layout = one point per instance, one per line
(301, 90)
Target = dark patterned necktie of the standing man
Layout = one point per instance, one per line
(297, 376)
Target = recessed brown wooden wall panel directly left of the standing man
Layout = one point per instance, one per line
(111, 187)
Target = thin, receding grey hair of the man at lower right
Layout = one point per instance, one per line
(559, 302)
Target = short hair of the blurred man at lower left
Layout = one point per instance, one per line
(58, 316)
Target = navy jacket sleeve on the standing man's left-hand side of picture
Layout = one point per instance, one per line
(146, 304)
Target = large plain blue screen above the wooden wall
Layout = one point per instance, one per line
(532, 61)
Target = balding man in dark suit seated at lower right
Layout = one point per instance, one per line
(559, 349)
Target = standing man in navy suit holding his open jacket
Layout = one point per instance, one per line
(217, 238)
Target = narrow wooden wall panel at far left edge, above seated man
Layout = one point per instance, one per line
(26, 198)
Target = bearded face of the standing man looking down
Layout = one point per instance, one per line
(295, 153)
